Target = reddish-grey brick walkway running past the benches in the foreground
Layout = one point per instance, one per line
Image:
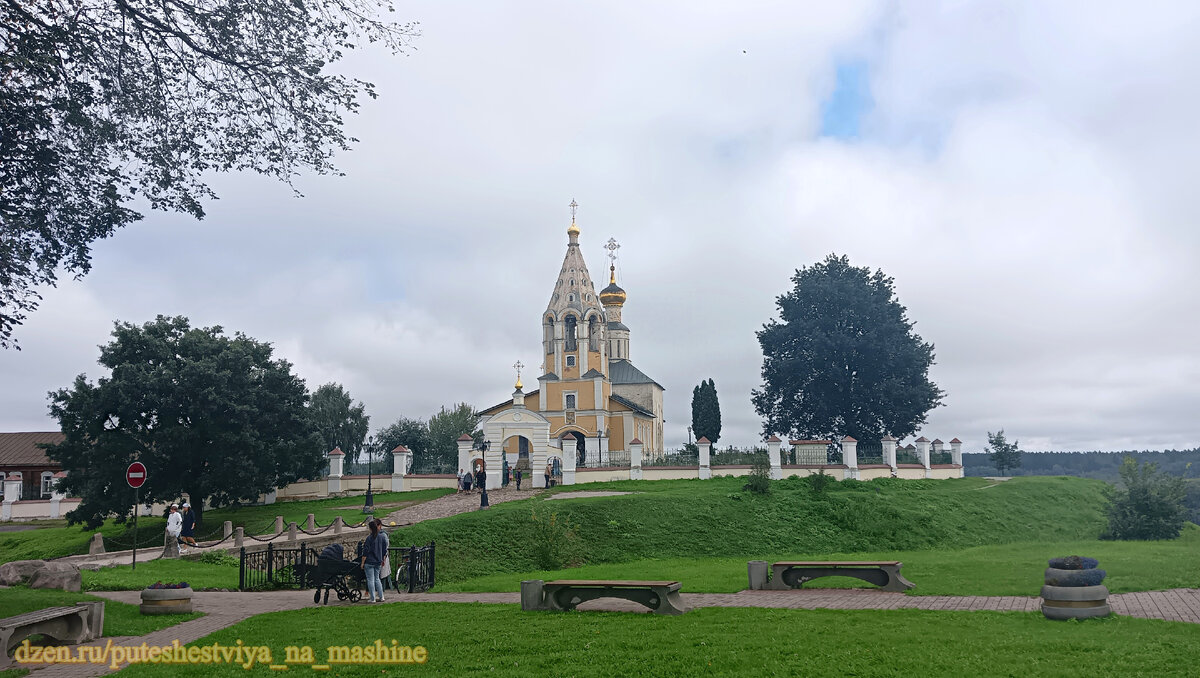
(225, 610)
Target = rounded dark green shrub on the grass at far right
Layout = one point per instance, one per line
(1150, 506)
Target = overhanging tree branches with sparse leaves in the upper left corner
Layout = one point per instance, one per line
(105, 101)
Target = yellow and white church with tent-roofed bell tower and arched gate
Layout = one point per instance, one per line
(591, 401)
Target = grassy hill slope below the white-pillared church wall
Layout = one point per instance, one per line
(692, 519)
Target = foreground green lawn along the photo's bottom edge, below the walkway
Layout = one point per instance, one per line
(501, 640)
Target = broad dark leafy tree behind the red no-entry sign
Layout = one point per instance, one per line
(211, 416)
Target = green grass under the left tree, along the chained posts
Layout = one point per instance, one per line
(62, 541)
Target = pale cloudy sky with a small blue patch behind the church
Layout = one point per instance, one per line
(1024, 171)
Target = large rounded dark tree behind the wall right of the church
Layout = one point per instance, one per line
(843, 358)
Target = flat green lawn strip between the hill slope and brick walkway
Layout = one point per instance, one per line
(1006, 569)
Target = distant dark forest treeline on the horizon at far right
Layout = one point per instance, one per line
(1185, 464)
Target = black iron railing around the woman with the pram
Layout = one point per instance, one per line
(274, 568)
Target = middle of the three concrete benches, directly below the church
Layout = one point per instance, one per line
(566, 595)
